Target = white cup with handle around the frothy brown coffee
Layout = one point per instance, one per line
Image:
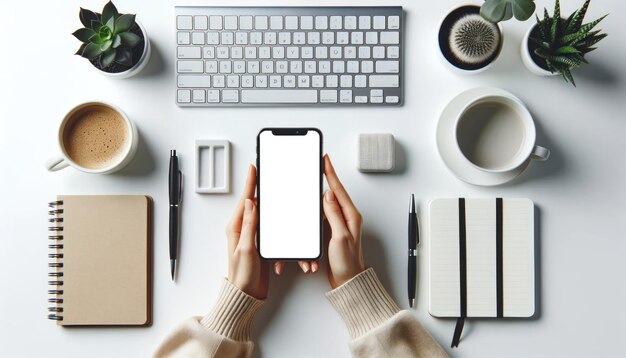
(126, 151)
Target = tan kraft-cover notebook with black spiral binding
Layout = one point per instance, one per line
(100, 260)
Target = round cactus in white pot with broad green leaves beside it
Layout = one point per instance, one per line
(470, 38)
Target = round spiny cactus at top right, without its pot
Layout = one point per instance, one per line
(474, 40)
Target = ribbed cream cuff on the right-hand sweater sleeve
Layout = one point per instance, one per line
(363, 303)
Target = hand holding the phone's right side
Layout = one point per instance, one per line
(345, 256)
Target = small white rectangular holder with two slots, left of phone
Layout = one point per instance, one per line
(212, 166)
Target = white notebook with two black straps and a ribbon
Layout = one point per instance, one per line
(481, 258)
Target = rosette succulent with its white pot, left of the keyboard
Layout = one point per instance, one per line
(115, 44)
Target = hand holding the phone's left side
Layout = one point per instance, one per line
(246, 270)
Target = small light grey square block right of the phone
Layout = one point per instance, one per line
(376, 152)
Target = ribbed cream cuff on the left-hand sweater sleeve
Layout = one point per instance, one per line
(233, 313)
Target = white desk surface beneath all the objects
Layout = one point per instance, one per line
(580, 192)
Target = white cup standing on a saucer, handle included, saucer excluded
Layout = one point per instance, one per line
(497, 134)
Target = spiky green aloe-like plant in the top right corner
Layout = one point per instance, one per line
(563, 43)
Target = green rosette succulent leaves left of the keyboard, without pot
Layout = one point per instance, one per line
(107, 36)
